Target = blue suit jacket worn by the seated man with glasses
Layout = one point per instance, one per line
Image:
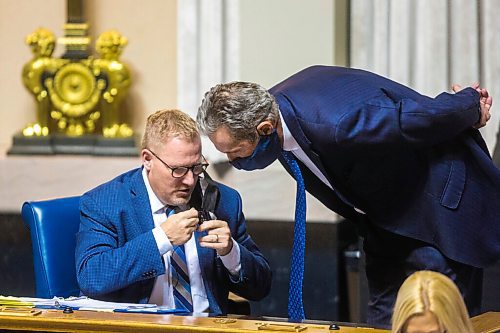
(117, 258)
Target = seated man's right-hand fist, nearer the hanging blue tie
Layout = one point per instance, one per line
(218, 238)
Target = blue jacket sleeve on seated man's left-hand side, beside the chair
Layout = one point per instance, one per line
(103, 262)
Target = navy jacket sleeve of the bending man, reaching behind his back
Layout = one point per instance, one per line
(390, 120)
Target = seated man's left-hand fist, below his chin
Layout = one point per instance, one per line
(180, 227)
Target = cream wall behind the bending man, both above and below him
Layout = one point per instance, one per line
(277, 39)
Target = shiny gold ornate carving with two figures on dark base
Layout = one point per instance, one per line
(77, 96)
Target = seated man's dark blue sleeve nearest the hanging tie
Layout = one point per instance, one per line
(255, 277)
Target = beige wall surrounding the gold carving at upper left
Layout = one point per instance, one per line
(151, 53)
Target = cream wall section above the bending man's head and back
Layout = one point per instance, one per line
(281, 37)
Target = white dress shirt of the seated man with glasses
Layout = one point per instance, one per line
(162, 293)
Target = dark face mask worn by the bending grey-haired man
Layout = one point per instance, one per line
(266, 152)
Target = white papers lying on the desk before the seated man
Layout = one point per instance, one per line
(84, 303)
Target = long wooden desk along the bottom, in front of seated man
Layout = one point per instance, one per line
(87, 321)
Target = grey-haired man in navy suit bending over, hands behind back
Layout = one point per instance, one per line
(412, 171)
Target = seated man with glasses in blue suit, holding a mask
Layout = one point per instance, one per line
(140, 239)
